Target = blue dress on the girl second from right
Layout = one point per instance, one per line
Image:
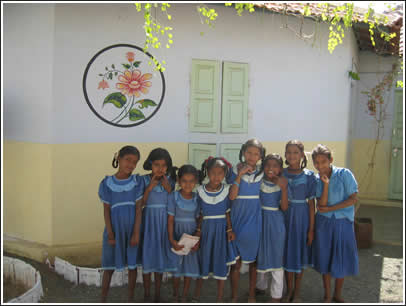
(301, 187)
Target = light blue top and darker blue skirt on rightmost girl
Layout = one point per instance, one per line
(335, 247)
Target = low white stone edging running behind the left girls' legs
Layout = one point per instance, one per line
(94, 276)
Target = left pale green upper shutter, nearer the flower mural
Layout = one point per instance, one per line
(204, 96)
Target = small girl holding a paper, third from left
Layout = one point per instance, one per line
(183, 212)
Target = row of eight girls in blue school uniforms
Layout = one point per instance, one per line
(264, 216)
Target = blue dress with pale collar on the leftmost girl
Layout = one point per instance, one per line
(121, 195)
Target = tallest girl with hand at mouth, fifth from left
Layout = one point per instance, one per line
(246, 213)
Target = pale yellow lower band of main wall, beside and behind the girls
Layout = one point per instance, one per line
(65, 178)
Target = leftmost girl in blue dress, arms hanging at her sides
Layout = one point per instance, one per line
(121, 195)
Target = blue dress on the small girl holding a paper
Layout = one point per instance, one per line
(185, 212)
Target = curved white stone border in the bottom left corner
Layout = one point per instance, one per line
(20, 271)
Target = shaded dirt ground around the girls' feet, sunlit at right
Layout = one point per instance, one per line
(380, 281)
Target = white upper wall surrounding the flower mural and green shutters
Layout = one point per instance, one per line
(296, 90)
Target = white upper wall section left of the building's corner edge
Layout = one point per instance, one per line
(28, 61)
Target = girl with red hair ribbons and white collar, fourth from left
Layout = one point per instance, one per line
(217, 250)
